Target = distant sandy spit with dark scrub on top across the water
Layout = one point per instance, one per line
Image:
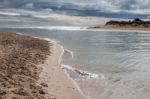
(134, 25)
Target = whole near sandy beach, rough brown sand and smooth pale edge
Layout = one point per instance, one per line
(30, 69)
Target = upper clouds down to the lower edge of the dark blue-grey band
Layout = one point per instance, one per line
(99, 8)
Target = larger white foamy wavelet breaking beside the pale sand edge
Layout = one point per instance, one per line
(80, 72)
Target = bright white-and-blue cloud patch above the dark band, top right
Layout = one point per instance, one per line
(113, 5)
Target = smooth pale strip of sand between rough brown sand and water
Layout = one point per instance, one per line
(70, 89)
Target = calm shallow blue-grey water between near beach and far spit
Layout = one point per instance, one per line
(121, 61)
